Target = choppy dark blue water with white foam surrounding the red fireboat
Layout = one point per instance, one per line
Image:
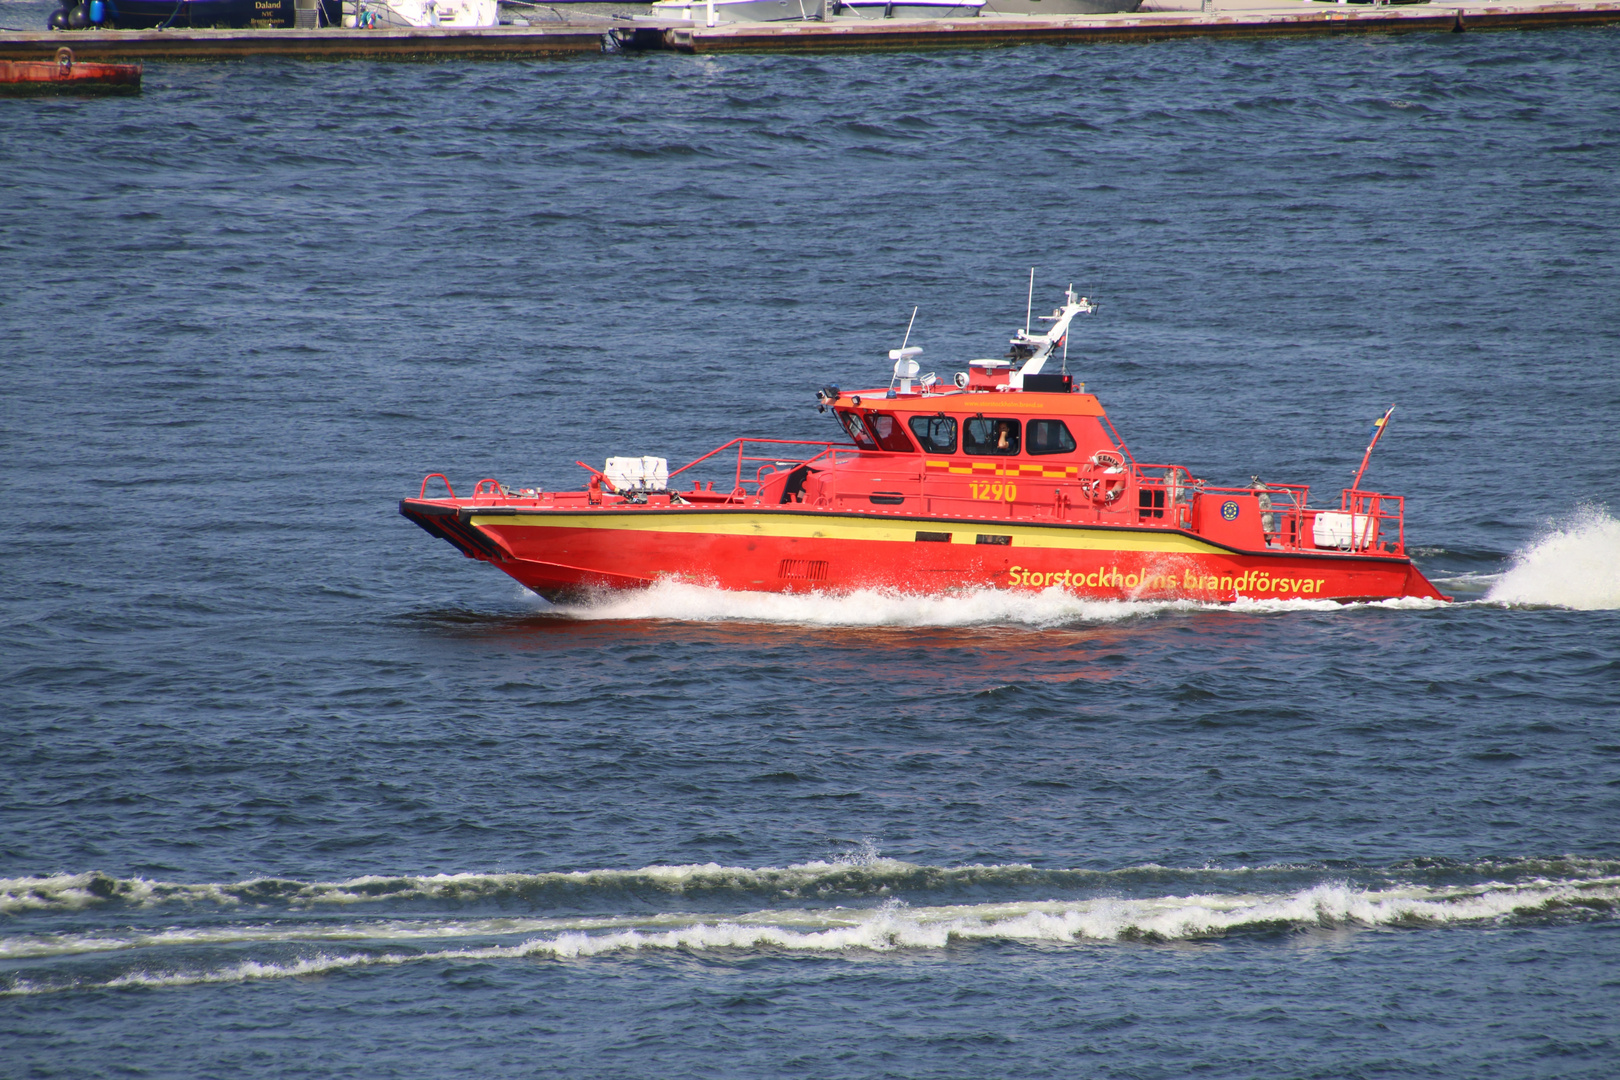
(292, 789)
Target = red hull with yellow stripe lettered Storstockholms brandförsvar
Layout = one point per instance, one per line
(568, 553)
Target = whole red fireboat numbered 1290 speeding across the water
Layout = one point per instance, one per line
(1007, 477)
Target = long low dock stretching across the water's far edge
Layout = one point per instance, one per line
(1161, 20)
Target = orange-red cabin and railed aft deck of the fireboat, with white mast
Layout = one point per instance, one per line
(1020, 444)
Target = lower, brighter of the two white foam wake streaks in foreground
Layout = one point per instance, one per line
(879, 930)
